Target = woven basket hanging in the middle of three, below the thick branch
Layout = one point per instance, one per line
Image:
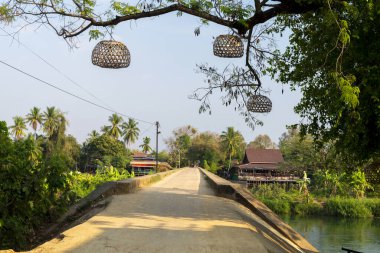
(228, 46)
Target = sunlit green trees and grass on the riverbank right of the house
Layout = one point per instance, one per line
(332, 183)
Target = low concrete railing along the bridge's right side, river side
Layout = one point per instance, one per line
(238, 193)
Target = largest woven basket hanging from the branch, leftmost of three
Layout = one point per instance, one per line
(111, 54)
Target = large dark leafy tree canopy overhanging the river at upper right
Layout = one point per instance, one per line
(334, 58)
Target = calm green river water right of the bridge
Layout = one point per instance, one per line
(329, 234)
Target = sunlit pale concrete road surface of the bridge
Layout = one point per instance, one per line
(179, 214)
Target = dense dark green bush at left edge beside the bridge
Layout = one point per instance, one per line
(34, 189)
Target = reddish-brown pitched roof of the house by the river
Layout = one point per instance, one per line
(263, 156)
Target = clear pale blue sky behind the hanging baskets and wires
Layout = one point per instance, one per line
(155, 87)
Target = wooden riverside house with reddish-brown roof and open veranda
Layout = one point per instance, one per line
(261, 166)
